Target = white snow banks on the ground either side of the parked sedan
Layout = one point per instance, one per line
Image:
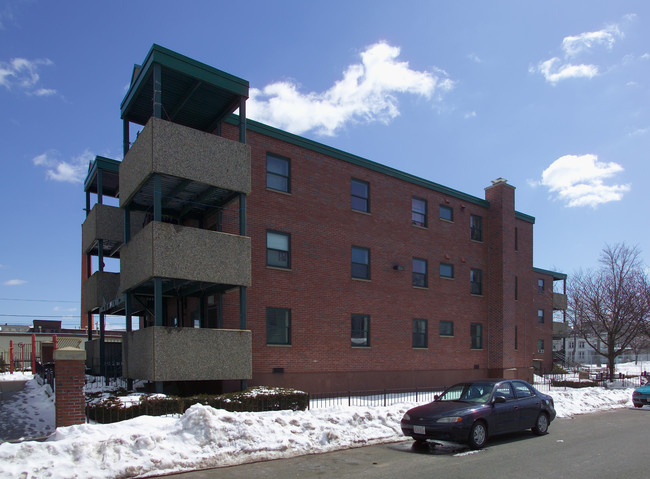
(204, 437)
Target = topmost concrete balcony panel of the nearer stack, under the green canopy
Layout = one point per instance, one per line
(170, 149)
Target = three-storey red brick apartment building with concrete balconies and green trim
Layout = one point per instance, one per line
(249, 253)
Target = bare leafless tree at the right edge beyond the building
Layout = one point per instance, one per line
(609, 306)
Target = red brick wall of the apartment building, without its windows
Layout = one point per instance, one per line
(322, 296)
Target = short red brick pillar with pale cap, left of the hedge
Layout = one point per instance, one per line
(69, 364)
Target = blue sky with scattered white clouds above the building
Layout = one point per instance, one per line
(554, 96)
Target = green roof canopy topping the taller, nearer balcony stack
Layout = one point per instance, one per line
(186, 91)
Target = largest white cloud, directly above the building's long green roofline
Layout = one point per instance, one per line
(367, 92)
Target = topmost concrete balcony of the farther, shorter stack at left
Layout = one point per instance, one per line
(104, 223)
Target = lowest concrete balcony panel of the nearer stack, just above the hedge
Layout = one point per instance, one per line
(187, 354)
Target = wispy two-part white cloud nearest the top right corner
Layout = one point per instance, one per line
(557, 69)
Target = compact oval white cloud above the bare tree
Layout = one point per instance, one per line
(578, 180)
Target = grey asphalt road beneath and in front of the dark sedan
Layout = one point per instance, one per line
(611, 444)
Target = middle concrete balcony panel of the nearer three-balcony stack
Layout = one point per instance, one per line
(163, 250)
